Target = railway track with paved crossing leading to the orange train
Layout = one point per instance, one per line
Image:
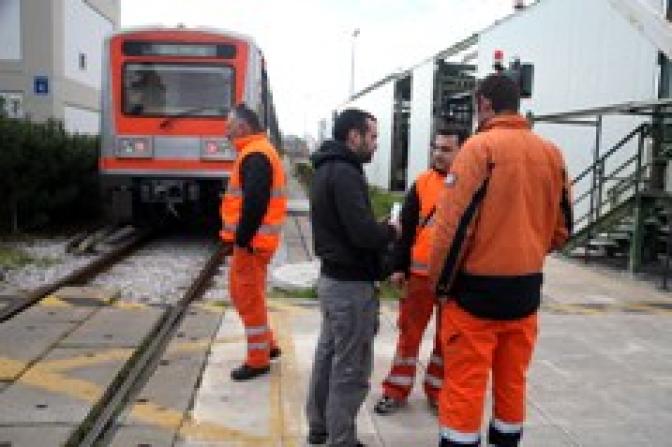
(47, 345)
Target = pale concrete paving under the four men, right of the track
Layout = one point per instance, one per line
(601, 376)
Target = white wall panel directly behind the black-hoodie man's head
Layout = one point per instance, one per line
(380, 102)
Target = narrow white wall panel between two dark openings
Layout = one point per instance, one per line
(422, 97)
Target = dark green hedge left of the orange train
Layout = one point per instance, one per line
(47, 176)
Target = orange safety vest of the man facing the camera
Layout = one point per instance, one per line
(427, 186)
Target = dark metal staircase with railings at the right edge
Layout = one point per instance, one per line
(626, 209)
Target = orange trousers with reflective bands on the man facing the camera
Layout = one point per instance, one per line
(415, 310)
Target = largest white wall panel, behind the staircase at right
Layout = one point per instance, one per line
(585, 55)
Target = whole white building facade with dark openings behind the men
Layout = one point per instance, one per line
(585, 55)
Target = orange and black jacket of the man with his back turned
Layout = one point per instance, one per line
(505, 206)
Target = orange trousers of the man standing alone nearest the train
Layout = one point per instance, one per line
(247, 286)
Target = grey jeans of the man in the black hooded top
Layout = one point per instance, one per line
(343, 358)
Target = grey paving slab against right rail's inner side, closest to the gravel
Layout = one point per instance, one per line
(115, 328)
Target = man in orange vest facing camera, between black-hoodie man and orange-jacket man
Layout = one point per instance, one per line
(411, 267)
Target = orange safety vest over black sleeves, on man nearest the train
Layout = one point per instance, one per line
(268, 235)
